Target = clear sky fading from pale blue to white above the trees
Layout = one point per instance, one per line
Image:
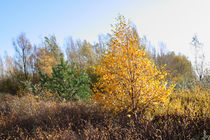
(173, 22)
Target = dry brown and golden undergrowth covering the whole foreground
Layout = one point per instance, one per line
(29, 117)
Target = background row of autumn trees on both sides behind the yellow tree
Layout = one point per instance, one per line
(43, 64)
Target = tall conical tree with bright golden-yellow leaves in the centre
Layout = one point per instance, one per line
(128, 79)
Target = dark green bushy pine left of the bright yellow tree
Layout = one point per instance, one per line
(67, 82)
